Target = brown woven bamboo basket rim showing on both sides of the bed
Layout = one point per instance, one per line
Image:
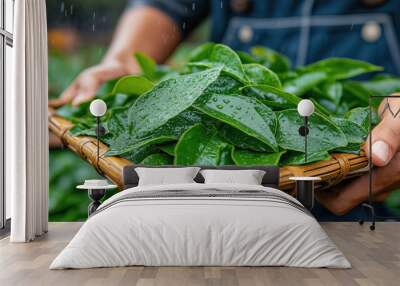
(332, 172)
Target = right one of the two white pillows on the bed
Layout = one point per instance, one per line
(247, 177)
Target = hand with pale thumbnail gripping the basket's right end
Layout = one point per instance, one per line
(385, 155)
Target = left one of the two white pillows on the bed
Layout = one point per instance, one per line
(166, 176)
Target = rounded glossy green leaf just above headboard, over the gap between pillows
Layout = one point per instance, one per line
(198, 146)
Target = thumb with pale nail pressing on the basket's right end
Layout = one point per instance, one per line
(385, 139)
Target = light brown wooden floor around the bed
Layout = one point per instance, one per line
(375, 257)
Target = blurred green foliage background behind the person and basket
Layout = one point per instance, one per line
(79, 33)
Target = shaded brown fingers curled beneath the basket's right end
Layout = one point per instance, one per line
(341, 200)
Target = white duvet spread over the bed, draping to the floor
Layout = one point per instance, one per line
(188, 231)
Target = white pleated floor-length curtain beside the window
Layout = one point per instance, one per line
(26, 124)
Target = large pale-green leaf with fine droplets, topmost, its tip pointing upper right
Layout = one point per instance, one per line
(167, 99)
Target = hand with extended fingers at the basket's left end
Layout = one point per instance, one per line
(85, 86)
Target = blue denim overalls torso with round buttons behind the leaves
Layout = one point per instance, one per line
(310, 30)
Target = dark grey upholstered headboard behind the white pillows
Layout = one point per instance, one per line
(270, 179)
